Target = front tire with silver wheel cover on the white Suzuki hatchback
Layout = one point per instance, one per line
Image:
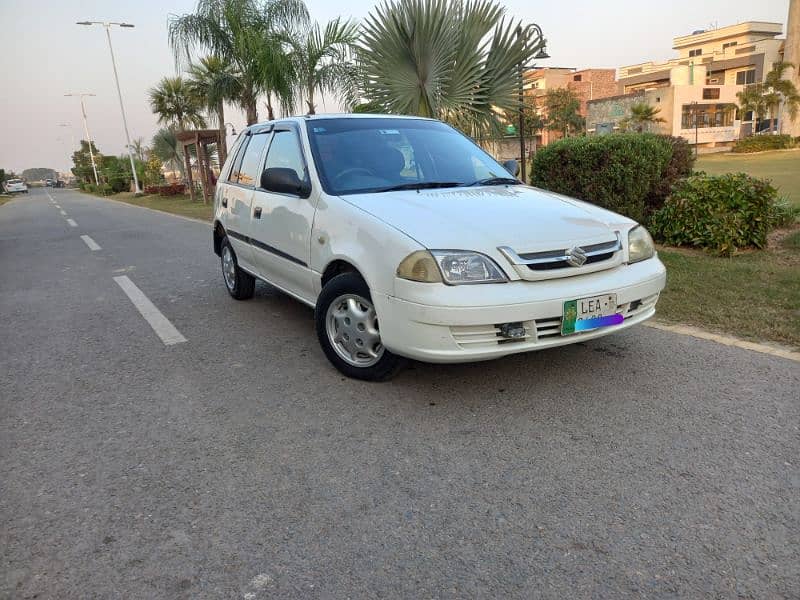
(344, 310)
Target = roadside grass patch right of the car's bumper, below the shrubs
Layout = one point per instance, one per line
(753, 295)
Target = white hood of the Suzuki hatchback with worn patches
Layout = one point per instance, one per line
(525, 218)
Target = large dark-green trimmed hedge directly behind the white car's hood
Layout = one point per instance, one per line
(629, 173)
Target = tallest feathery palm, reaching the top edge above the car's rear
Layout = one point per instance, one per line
(250, 35)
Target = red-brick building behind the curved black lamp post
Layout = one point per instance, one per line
(588, 84)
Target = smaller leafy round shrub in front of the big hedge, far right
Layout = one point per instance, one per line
(722, 213)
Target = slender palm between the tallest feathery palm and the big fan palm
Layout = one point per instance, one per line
(321, 61)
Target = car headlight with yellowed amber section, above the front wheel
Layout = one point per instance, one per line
(454, 267)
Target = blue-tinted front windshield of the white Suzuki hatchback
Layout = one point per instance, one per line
(363, 155)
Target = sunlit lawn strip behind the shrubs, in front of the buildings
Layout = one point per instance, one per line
(782, 167)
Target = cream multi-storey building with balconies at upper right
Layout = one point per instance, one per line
(696, 91)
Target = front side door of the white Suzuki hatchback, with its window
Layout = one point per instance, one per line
(281, 224)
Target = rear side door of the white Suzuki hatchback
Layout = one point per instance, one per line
(238, 195)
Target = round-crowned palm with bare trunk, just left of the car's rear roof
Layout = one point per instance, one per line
(213, 81)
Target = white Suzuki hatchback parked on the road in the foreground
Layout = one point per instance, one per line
(410, 241)
